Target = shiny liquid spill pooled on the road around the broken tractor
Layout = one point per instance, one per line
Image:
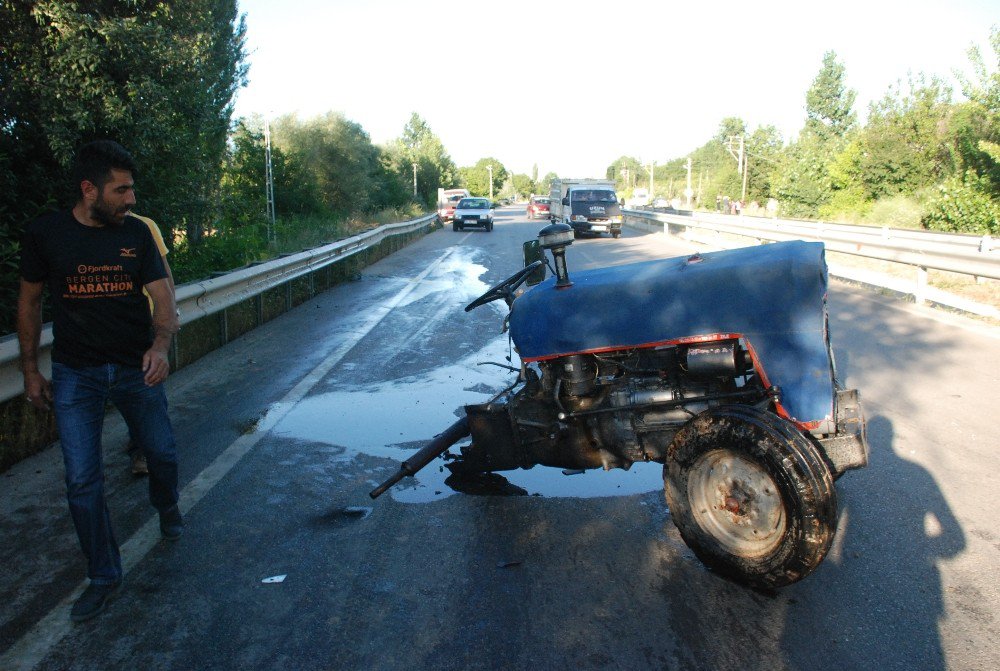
(393, 418)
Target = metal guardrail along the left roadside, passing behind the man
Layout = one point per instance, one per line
(201, 299)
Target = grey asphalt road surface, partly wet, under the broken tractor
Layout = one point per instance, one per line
(287, 564)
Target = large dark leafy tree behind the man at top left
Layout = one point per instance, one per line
(159, 77)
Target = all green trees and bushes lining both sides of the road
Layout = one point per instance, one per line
(161, 78)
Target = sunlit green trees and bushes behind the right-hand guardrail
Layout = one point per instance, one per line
(920, 160)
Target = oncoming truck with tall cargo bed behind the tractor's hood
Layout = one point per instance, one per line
(590, 206)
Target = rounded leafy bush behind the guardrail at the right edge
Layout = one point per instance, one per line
(964, 205)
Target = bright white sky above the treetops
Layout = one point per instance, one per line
(571, 86)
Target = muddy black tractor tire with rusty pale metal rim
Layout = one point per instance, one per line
(750, 495)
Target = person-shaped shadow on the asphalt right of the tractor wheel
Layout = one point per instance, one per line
(879, 606)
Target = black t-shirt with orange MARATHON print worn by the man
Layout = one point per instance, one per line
(95, 277)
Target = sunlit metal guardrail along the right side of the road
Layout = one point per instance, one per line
(963, 254)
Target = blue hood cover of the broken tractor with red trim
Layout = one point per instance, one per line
(773, 296)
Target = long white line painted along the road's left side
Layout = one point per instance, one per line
(32, 648)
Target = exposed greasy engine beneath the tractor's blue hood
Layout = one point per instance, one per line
(607, 410)
